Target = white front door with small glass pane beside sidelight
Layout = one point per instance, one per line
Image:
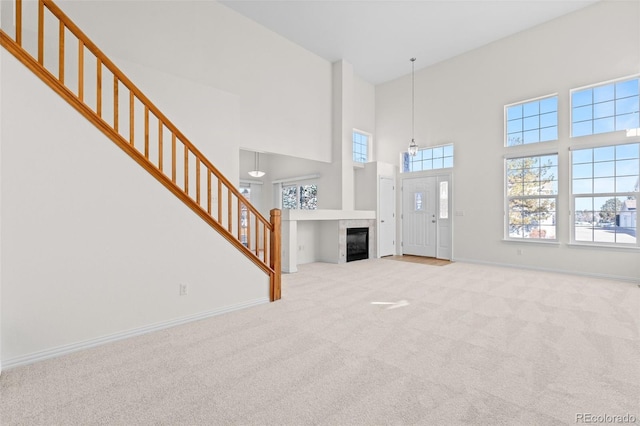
(419, 218)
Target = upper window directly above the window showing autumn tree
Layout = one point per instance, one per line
(532, 122)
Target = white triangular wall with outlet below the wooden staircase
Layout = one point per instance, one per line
(92, 245)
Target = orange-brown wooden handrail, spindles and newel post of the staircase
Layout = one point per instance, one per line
(270, 260)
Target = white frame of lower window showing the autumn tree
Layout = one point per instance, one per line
(508, 199)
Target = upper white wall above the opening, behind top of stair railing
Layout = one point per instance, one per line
(284, 91)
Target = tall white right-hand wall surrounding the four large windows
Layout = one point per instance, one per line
(462, 101)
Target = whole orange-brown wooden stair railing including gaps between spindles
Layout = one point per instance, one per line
(144, 133)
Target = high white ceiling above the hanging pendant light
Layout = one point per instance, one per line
(378, 37)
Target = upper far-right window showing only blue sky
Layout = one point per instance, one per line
(606, 108)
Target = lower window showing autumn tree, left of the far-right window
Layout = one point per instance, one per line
(532, 192)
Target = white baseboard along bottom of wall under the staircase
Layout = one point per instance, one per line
(86, 344)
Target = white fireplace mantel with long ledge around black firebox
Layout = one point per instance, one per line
(329, 232)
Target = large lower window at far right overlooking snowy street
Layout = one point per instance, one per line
(605, 190)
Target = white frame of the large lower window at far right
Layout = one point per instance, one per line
(614, 194)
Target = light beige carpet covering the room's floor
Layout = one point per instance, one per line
(468, 344)
